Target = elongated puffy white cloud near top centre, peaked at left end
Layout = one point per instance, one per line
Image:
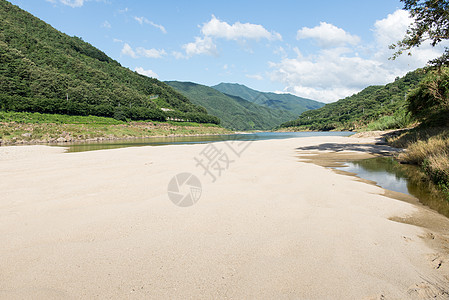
(220, 29)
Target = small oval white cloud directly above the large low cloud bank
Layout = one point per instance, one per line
(328, 35)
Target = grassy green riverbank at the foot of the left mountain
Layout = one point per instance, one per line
(34, 128)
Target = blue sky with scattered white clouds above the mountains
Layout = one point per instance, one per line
(322, 50)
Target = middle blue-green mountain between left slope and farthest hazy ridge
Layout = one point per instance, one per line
(234, 112)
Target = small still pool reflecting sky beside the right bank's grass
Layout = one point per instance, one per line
(407, 179)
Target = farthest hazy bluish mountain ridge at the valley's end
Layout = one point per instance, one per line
(294, 104)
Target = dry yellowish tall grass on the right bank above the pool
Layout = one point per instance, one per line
(428, 148)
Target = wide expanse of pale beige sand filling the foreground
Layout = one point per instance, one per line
(101, 225)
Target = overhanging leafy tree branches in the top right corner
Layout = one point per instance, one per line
(431, 23)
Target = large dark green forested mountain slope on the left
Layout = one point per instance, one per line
(44, 70)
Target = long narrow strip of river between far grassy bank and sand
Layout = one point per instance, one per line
(182, 140)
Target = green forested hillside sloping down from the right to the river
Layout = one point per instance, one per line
(384, 104)
